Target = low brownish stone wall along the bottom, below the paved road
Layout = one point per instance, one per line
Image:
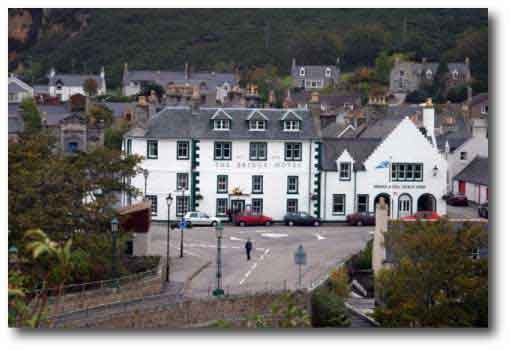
(188, 313)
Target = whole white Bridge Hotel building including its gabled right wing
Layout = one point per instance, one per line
(274, 161)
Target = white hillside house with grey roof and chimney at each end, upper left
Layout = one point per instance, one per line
(64, 86)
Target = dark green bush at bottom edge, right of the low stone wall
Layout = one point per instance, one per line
(328, 309)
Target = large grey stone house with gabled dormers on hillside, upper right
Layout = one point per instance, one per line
(408, 76)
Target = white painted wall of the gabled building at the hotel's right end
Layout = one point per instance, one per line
(406, 144)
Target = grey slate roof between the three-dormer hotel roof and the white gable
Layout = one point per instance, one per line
(359, 149)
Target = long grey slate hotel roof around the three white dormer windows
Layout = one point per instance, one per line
(179, 122)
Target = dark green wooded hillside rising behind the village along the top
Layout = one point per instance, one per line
(83, 40)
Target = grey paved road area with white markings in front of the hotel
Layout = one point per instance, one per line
(272, 262)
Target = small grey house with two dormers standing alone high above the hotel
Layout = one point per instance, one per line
(314, 77)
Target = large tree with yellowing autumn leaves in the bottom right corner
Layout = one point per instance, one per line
(434, 282)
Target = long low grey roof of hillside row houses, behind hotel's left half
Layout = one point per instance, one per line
(165, 77)
